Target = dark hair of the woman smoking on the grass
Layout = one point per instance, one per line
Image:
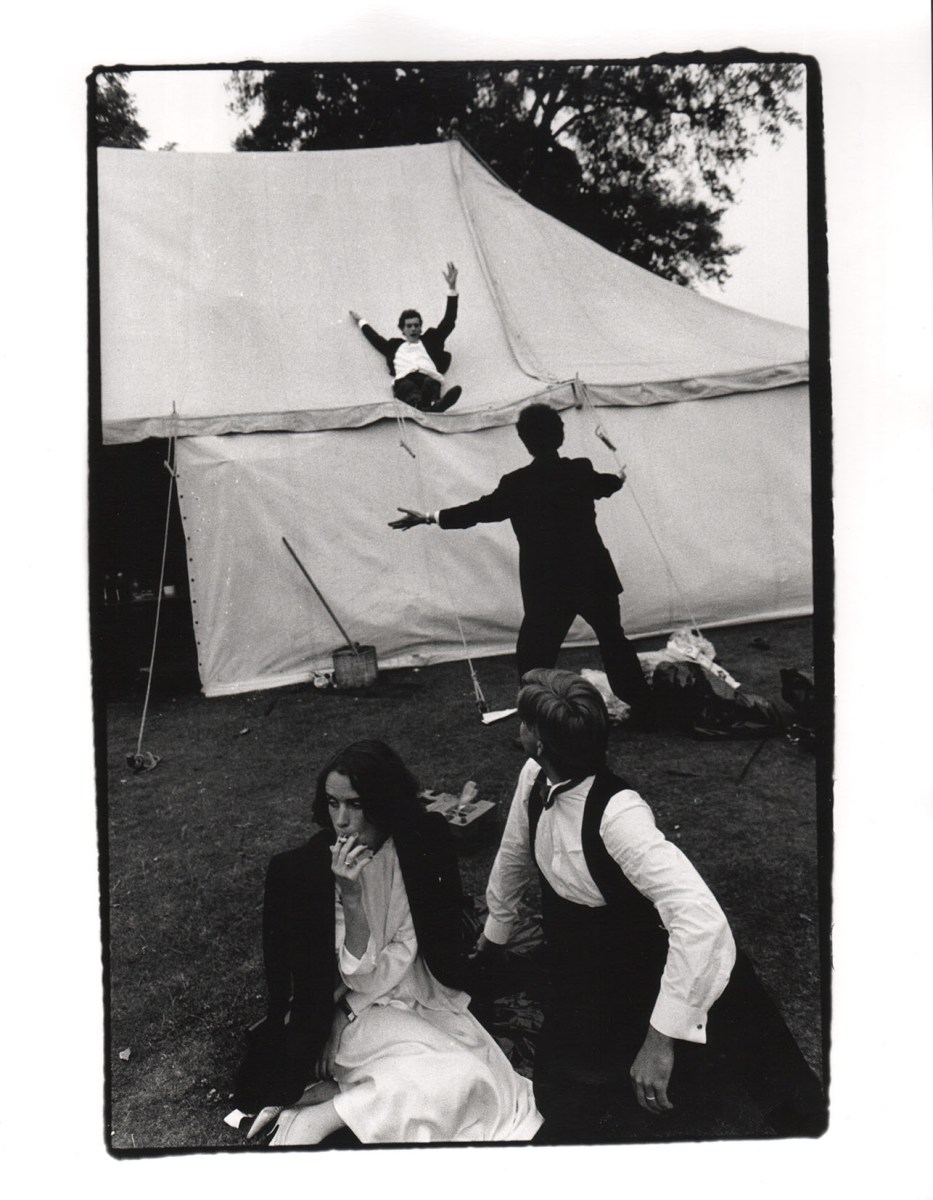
(387, 788)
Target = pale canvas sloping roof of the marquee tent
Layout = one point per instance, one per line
(226, 283)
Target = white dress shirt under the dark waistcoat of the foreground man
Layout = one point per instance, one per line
(701, 953)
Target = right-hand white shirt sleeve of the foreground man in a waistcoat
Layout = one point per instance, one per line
(702, 950)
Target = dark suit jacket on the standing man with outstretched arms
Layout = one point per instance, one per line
(551, 506)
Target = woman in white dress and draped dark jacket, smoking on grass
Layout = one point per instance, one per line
(368, 1027)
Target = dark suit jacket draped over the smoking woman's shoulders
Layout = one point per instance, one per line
(299, 951)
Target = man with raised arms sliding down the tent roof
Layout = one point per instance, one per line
(418, 359)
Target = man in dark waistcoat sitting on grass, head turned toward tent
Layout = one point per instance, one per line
(640, 949)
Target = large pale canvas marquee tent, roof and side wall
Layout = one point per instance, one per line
(226, 283)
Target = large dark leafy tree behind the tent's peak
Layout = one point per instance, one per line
(642, 158)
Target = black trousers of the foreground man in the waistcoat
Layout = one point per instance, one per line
(597, 1018)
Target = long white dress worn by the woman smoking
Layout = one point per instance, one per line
(417, 1066)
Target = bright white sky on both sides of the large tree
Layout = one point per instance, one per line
(769, 221)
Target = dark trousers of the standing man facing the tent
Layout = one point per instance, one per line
(546, 626)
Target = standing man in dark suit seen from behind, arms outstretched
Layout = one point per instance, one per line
(564, 568)
